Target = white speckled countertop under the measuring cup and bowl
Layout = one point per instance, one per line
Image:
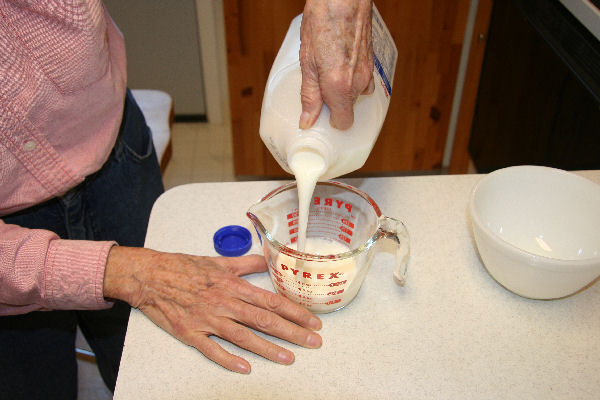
(451, 333)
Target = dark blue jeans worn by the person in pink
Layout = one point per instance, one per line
(37, 350)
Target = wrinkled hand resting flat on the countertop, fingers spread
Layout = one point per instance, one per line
(194, 298)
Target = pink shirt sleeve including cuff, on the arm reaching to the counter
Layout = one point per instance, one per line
(40, 271)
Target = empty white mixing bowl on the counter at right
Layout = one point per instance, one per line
(537, 230)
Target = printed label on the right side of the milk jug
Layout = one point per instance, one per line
(385, 53)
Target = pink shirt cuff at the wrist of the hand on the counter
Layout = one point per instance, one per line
(75, 274)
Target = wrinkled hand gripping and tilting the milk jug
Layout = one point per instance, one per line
(336, 57)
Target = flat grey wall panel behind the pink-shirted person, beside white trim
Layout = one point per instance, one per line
(163, 50)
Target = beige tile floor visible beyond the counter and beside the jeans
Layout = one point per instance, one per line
(201, 153)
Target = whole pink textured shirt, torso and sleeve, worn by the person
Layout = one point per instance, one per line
(62, 91)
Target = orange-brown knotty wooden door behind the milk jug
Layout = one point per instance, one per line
(429, 36)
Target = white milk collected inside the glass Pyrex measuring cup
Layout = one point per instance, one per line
(320, 286)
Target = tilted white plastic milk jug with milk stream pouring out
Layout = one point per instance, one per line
(322, 152)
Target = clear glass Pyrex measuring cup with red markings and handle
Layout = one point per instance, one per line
(339, 214)
